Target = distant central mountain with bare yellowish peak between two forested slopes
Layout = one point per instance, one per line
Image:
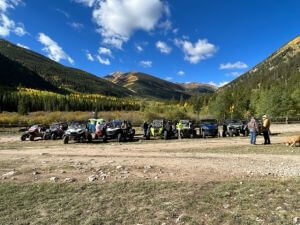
(149, 86)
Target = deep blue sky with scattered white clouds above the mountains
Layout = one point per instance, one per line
(182, 41)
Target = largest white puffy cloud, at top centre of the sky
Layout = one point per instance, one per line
(117, 20)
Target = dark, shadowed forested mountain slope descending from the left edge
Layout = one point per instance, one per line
(54, 74)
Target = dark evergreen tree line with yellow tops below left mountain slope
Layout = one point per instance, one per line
(29, 100)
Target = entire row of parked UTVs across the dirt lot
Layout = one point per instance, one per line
(120, 130)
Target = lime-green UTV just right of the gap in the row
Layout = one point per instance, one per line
(161, 129)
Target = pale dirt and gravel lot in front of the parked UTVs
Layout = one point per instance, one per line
(201, 160)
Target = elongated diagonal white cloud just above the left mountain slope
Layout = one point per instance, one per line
(54, 51)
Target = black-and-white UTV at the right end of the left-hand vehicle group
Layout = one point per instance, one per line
(121, 130)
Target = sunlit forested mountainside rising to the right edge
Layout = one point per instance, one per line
(271, 87)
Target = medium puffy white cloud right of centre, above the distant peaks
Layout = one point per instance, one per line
(196, 52)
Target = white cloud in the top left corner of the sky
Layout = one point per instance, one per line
(6, 24)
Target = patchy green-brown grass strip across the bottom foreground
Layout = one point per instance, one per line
(254, 201)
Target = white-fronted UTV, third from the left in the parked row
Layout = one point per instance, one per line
(78, 132)
